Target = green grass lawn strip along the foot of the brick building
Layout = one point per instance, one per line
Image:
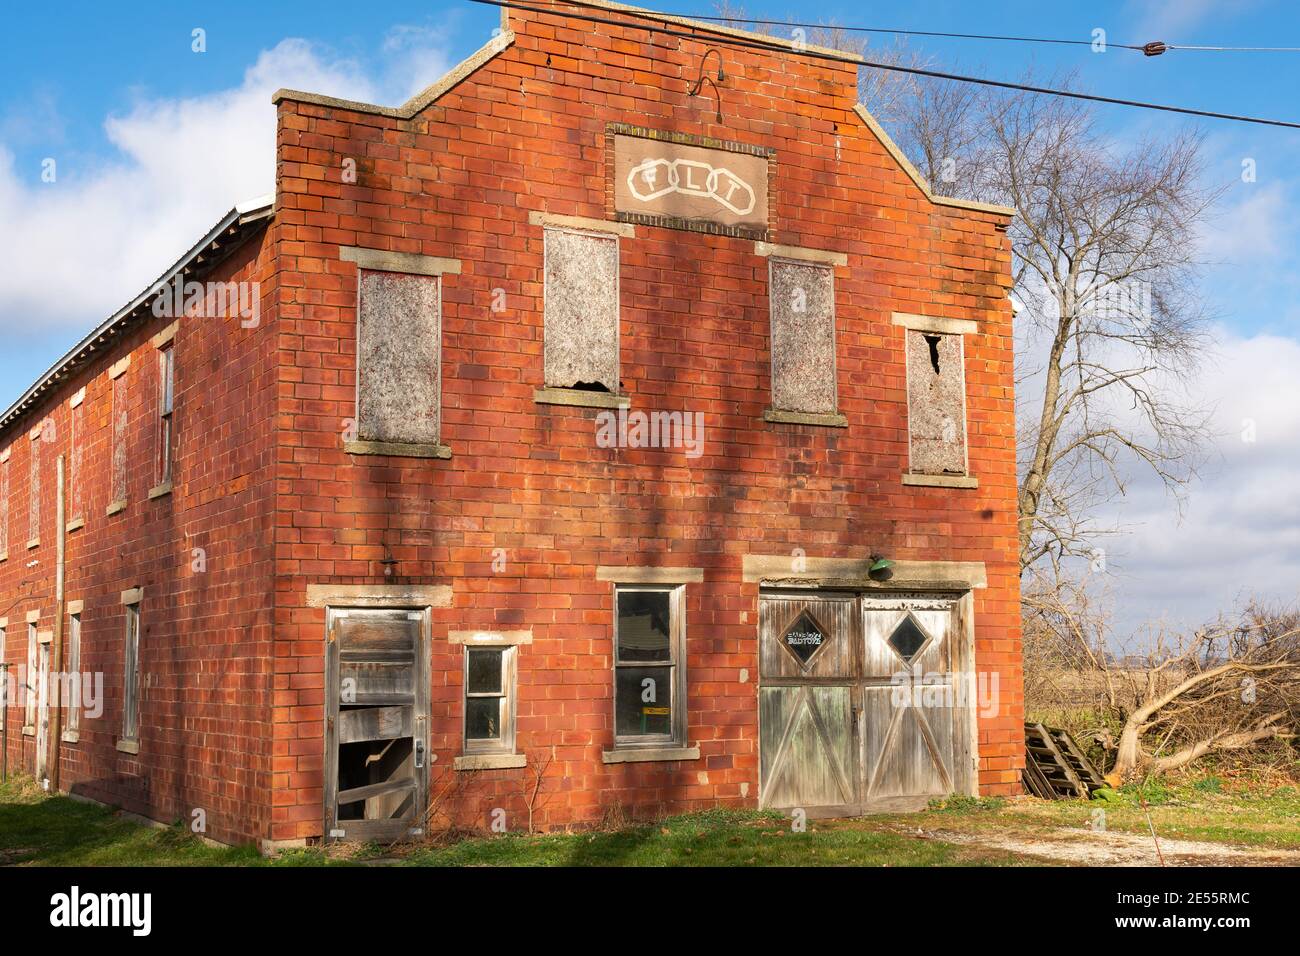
(37, 829)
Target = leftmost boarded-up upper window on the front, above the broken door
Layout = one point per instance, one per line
(398, 358)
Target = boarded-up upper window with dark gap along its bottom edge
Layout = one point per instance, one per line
(582, 312)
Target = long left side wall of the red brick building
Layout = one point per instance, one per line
(201, 555)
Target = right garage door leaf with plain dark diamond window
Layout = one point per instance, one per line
(915, 716)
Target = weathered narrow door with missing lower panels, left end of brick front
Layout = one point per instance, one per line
(376, 723)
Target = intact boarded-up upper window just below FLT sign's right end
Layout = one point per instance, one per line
(803, 309)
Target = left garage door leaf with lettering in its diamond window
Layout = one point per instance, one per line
(808, 661)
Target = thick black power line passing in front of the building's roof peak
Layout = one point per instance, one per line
(757, 44)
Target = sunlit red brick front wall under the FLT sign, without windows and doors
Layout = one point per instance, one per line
(528, 507)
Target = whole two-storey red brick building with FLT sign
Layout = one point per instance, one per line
(623, 412)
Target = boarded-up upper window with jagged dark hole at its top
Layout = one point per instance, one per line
(937, 404)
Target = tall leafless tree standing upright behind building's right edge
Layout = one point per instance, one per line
(1111, 328)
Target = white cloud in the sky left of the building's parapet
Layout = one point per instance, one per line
(80, 248)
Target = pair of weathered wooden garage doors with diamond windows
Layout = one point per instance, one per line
(861, 700)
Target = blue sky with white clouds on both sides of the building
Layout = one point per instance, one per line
(153, 142)
